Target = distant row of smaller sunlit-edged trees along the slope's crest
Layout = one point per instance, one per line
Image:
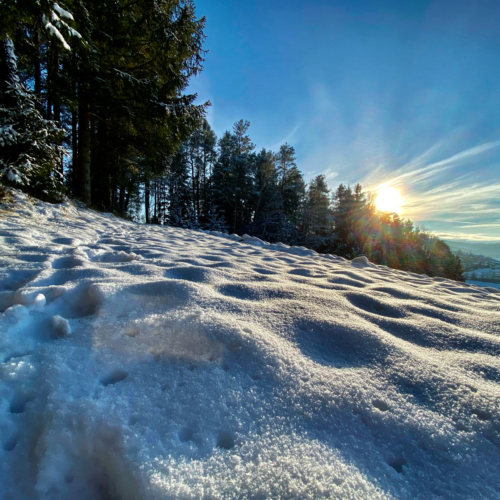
(226, 185)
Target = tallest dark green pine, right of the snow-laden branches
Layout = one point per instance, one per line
(130, 83)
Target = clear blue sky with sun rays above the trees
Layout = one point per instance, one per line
(404, 93)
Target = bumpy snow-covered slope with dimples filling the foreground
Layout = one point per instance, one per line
(144, 362)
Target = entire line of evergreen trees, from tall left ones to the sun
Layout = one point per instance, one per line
(92, 105)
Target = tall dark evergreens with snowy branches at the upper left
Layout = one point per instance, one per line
(102, 80)
